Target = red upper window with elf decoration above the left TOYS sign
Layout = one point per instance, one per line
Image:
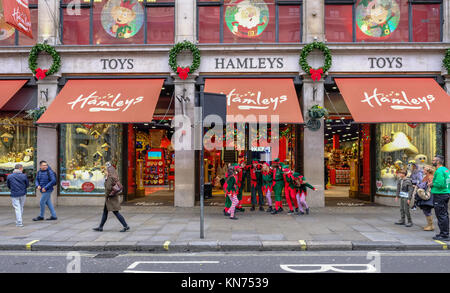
(118, 22)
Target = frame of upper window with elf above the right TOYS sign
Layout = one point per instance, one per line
(410, 18)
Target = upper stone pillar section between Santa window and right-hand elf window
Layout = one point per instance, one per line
(314, 20)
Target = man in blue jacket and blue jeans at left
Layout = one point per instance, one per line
(45, 180)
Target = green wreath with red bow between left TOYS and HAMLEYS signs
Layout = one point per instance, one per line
(183, 71)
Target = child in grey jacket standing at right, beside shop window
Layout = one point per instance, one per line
(404, 192)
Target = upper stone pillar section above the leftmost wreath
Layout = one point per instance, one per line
(48, 22)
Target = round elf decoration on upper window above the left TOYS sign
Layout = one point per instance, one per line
(122, 19)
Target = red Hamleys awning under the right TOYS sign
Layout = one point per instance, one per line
(377, 100)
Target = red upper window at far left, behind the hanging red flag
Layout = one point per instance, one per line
(11, 37)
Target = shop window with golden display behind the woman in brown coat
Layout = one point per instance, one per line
(84, 149)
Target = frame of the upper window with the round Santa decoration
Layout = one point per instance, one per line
(277, 4)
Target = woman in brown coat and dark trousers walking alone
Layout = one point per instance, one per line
(112, 199)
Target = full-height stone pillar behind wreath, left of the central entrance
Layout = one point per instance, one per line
(185, 175)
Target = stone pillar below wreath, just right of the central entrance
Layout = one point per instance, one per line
(313, 143)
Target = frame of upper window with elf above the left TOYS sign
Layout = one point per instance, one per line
(90, 5)
